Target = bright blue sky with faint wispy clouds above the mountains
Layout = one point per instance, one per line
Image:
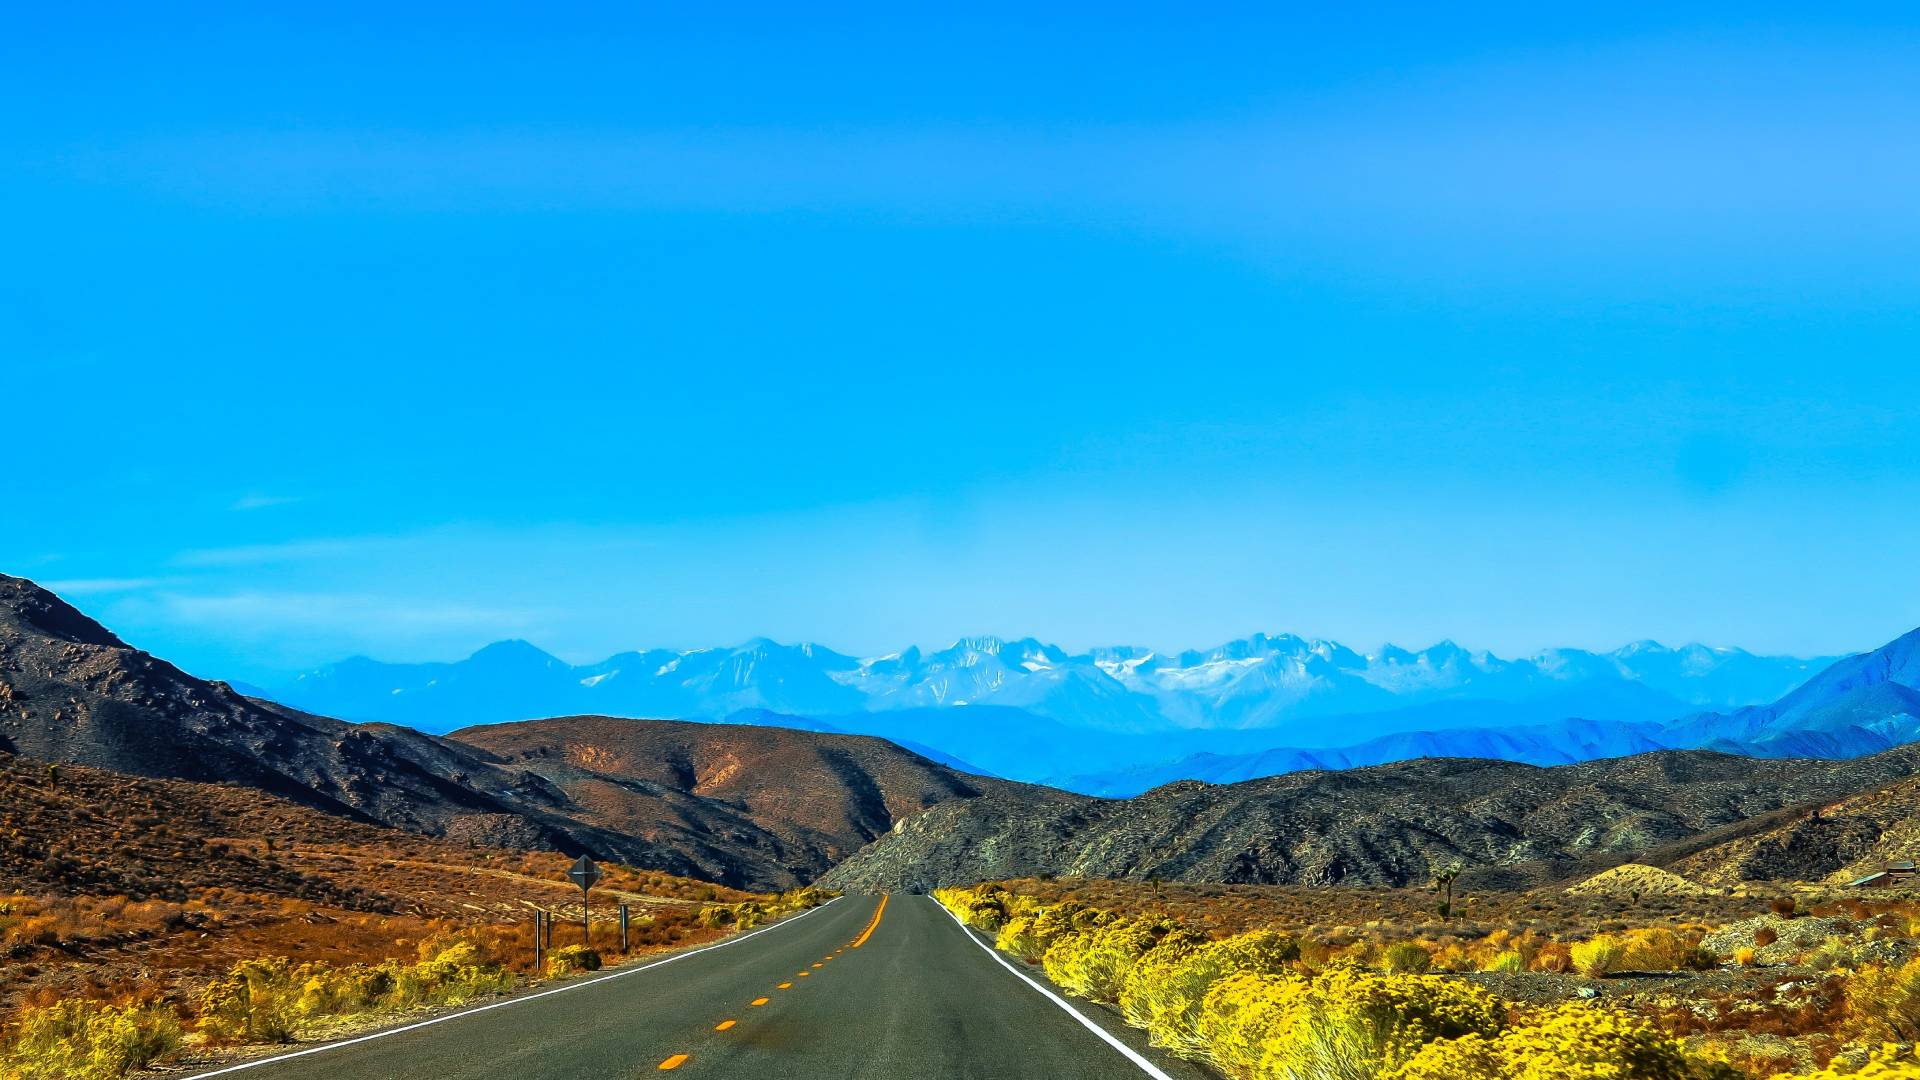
(612, 328)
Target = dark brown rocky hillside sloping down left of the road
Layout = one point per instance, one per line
(72, 693)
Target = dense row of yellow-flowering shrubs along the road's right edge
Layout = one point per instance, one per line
(1262, 1004)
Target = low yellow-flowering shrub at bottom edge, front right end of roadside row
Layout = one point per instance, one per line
(1572, 1043)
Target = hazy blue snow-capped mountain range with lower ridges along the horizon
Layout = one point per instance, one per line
(1111, 722)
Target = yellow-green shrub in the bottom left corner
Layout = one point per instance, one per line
(85, 1041)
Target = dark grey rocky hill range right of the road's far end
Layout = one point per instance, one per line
(1383, 825)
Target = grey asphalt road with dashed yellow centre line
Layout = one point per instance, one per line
(880, 989)
